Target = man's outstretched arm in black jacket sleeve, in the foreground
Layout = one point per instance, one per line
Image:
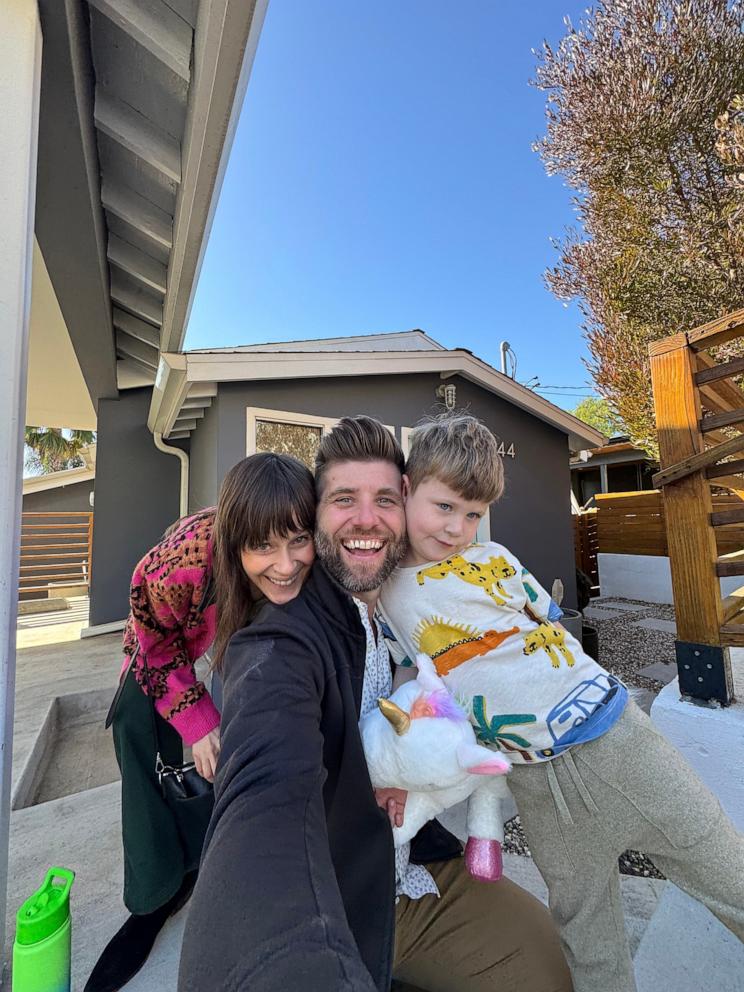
(267, 913)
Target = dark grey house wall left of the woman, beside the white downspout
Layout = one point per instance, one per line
(136, 499)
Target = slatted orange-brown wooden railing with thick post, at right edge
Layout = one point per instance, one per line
(700, 424)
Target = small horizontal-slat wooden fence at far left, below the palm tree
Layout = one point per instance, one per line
(55, 551)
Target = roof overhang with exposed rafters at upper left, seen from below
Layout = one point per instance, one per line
(139, 104)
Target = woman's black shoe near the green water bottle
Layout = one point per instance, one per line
(130, 946)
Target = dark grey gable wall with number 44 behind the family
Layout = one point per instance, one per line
(533, 518)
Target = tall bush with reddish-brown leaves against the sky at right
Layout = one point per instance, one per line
(645, 123)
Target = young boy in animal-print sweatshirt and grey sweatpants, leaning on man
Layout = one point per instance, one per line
(591, 776)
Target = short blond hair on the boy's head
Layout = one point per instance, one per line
(458, 450)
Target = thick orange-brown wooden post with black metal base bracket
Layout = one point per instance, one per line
(704, 673)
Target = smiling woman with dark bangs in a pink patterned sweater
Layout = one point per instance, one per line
(257, 544)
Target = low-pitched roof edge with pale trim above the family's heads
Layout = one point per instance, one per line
(187, 381)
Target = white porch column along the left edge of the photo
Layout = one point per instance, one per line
(20, 74)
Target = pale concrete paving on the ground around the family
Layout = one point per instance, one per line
(82, 831)
